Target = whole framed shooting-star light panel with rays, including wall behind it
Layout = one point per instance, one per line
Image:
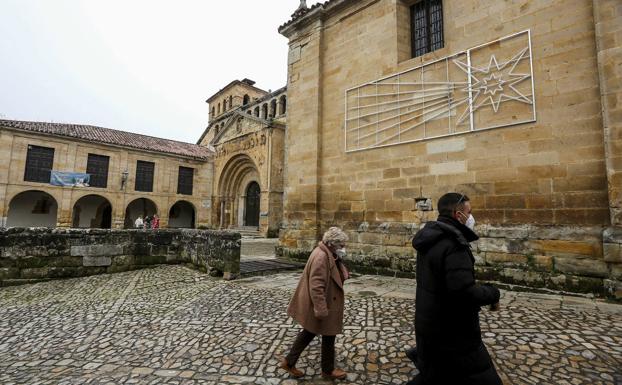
(416, 104)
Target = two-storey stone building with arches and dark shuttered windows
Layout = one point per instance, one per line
(131, 175)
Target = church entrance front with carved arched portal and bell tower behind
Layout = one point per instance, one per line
(248, 139)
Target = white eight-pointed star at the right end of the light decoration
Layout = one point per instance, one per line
(496, 84)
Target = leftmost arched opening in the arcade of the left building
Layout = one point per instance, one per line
(32, 209)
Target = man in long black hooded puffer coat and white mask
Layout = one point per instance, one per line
(450, 350)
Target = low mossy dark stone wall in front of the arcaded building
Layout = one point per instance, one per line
(34, 254)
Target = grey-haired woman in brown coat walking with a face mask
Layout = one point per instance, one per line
(318, 303)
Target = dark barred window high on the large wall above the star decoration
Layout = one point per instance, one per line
(426, 26)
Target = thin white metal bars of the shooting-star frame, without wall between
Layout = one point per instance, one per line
(438, 94)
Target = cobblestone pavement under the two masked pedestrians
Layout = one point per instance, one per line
(172, 325)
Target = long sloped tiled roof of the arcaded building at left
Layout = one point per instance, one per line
(110, 136)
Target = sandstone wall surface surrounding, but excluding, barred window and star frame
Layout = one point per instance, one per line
(549, 178)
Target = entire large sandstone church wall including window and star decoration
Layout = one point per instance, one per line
(516, 104)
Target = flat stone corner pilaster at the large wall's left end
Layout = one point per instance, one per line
(302, 195)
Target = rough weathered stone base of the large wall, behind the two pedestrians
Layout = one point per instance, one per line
(577, 259)
